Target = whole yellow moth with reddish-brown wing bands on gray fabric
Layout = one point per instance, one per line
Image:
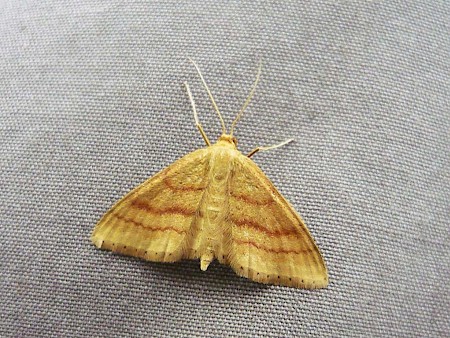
(216, 203)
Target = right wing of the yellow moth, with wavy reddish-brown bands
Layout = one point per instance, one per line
(270, 243)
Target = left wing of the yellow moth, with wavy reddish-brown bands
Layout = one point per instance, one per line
(154, 219)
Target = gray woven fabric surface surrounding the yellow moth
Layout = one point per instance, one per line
(91, 104)
